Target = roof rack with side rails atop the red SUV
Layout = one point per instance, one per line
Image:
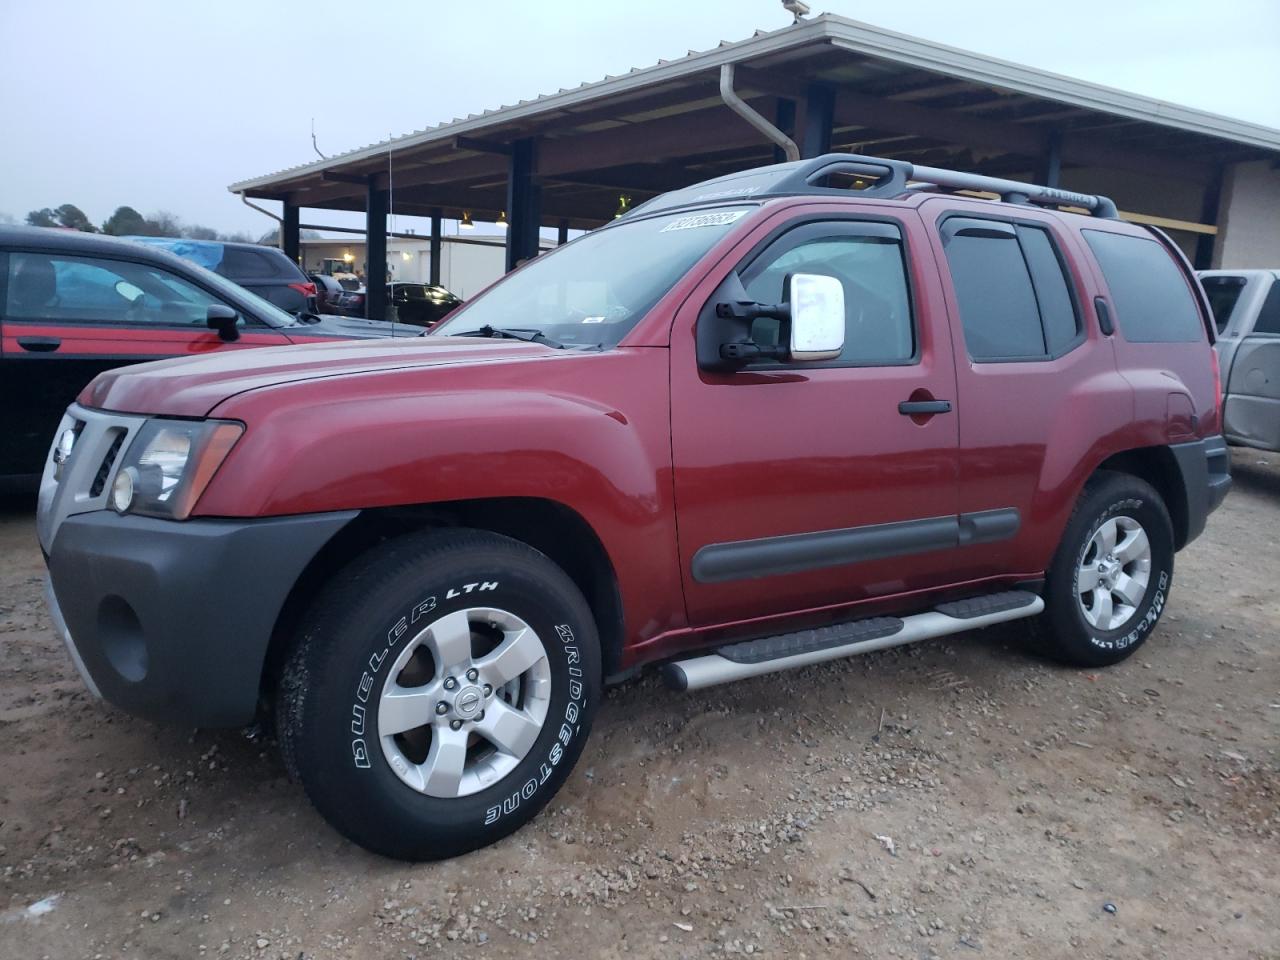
(868, 177)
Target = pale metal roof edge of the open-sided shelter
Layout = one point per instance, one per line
(842, 34)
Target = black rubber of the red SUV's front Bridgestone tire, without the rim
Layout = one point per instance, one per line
(341, 760)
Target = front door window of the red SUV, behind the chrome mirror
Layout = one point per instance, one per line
(868, 260)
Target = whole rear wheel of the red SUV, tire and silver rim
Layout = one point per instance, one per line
(1112, 574)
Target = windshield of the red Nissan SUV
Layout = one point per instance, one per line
(593, 291)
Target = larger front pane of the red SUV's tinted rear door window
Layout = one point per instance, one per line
(994, 290)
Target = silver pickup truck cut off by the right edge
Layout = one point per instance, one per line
(1247, 309)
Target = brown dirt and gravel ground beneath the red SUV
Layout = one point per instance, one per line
(949, 801)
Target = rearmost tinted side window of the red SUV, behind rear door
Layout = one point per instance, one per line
(1153, 300)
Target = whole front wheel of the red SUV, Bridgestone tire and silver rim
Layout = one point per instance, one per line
(441, 694)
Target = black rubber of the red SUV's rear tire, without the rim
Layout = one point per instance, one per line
(1075, 638)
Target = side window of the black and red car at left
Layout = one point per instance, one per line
(89, 290)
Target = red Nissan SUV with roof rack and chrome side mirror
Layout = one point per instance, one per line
(872, 417)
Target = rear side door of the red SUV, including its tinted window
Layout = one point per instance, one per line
(1037, 387)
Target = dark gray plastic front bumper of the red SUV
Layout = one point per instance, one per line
(172, 620)
